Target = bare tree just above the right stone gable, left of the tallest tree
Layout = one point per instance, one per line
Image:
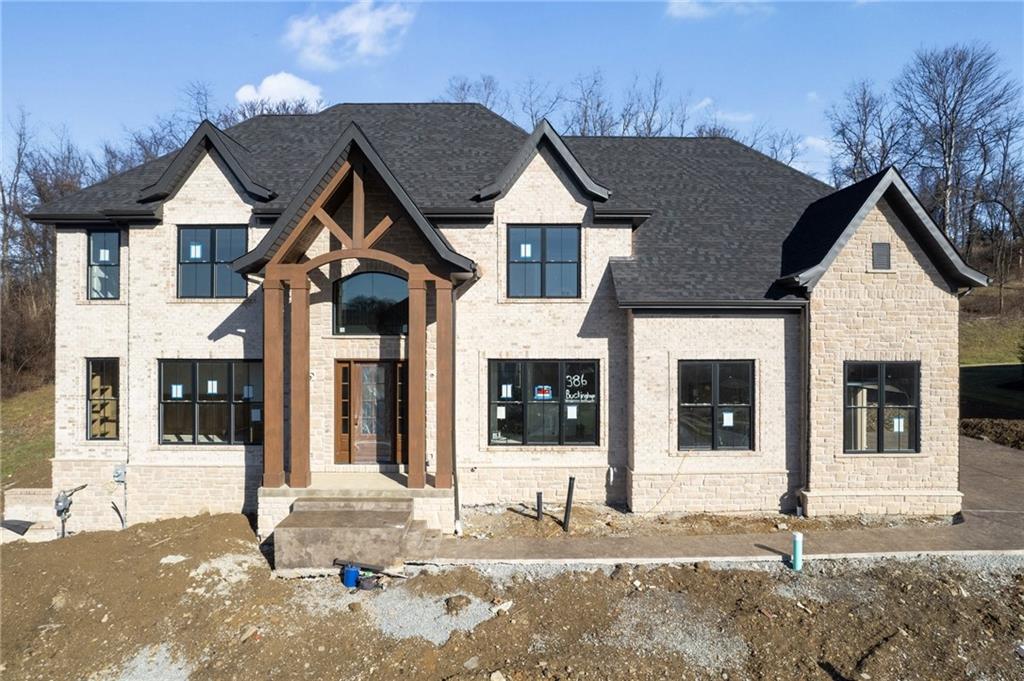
(869, 134)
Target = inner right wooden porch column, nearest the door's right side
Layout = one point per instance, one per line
(417, 364)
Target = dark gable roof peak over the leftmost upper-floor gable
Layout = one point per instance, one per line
(207, 138)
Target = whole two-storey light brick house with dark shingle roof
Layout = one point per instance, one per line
(429, 297)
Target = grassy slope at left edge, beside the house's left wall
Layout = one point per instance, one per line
(27, 438)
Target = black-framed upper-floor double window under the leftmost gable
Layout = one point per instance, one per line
(205, 256)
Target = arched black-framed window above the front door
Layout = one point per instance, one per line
(374, 304)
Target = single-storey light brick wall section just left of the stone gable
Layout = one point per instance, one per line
(663, 478)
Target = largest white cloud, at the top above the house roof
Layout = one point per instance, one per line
(360, 31)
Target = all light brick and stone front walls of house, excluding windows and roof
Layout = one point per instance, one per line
(910, 314)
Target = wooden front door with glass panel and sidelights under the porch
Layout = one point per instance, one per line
(369, 412)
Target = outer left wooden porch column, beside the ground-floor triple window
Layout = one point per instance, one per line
(274, 384)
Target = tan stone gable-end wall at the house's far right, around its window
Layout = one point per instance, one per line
(910, 314)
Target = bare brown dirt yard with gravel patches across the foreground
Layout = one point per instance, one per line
(195, 600)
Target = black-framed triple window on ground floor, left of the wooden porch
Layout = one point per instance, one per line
(211, 402)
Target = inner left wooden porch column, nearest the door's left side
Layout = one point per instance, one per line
(298, 475)
